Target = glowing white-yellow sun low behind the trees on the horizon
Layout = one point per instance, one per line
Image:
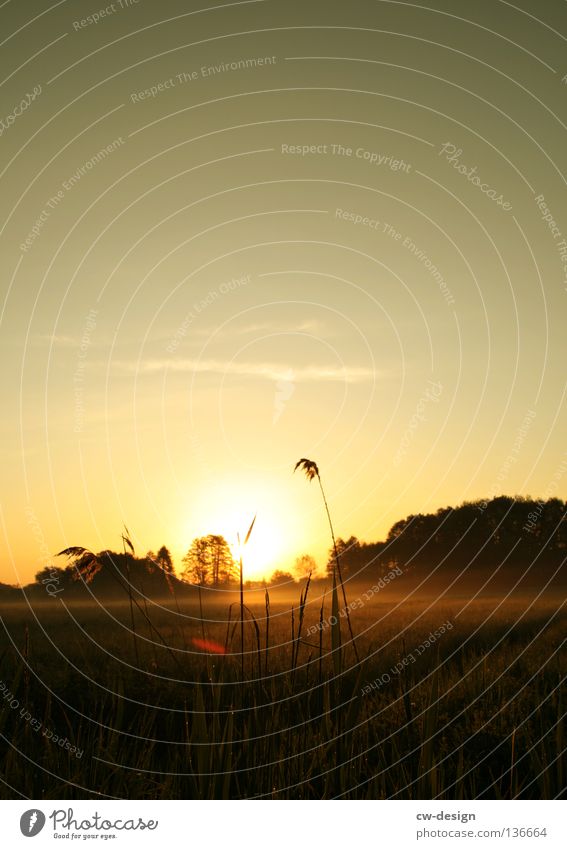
(229, 510)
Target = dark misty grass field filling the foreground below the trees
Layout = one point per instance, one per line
(456, 699)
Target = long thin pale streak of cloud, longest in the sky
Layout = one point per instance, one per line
(268, 371)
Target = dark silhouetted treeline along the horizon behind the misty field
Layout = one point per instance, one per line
(476, 535)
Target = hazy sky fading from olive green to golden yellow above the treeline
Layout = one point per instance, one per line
(239, 235)
